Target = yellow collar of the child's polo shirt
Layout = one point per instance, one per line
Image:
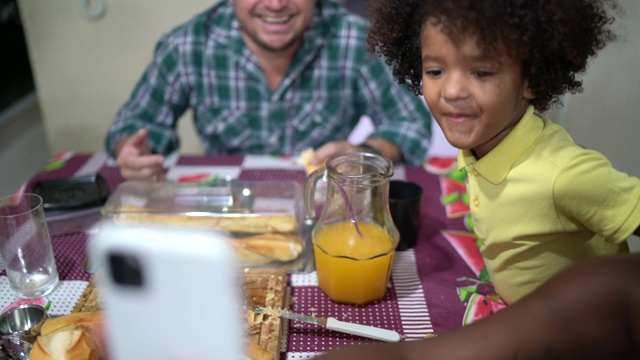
(496, 164)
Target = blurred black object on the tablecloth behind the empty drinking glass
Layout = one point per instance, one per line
(73, 193)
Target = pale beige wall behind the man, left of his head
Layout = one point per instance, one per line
(85, 69)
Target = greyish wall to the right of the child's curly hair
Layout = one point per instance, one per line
(605, 116)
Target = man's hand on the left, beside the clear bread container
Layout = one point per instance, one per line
(135, 160)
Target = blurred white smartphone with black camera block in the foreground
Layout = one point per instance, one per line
(167, 293)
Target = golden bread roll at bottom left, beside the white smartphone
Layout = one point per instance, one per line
(73, 336)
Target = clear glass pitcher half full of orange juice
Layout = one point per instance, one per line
(354, 239)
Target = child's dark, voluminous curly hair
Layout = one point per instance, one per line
(551, 39)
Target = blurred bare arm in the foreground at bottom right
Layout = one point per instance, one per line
(591, 311)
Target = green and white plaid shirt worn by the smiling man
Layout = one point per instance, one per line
(332, 81)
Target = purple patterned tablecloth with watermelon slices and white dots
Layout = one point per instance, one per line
(430, 285)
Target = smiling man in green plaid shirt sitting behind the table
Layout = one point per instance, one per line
(267, 77)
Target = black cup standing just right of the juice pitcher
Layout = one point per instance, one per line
(404, 204)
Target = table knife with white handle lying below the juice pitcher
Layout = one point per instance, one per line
(334, 324)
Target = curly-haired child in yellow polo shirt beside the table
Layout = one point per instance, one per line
(487, 69)
